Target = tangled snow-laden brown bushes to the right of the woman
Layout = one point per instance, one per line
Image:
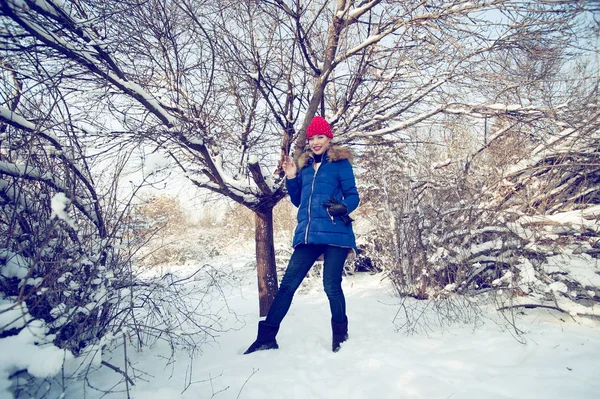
(504, 223)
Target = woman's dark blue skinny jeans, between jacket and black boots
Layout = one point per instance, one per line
(302, 259)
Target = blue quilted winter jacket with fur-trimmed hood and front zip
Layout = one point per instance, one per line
(309, 189)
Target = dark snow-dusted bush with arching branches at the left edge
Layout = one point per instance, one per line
(59, 260)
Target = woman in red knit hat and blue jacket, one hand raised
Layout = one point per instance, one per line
(323, 188)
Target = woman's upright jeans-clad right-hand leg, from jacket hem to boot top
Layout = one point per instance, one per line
(332, 281)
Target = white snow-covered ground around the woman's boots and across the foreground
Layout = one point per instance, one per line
(559, 359)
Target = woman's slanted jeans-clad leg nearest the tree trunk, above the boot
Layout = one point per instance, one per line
(300, 263)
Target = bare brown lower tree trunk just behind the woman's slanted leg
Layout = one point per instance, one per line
(265, 260)
